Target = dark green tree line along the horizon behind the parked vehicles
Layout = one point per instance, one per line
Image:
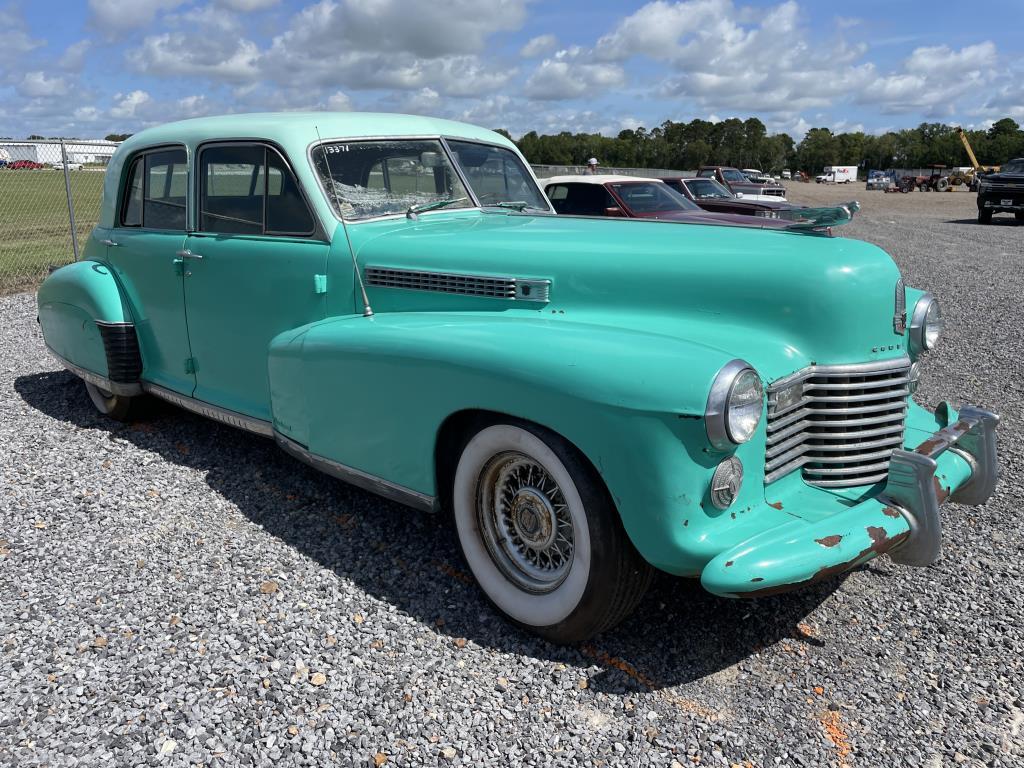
(746, 144)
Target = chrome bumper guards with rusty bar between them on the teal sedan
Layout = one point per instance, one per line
(914, 490)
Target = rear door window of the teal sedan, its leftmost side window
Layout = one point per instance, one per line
(156, 189)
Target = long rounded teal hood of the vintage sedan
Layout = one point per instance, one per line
(781, 301)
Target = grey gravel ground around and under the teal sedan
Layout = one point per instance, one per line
(179, 593)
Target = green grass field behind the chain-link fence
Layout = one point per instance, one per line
(34, 230)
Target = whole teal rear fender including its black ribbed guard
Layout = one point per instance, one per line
(87, 323)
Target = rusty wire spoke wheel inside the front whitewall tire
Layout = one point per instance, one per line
(526, 523)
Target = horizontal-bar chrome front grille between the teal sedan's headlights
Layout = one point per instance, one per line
(843, 426)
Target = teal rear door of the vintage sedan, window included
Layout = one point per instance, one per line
(142, 250)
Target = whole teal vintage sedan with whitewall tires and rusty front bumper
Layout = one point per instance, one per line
(392, 300)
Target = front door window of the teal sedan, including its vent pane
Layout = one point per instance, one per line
(249, 190)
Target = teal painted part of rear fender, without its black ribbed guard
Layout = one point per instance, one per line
(71, 302)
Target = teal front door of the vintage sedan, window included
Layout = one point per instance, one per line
(257, 266)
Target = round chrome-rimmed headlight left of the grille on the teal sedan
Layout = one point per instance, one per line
(735, 406)
